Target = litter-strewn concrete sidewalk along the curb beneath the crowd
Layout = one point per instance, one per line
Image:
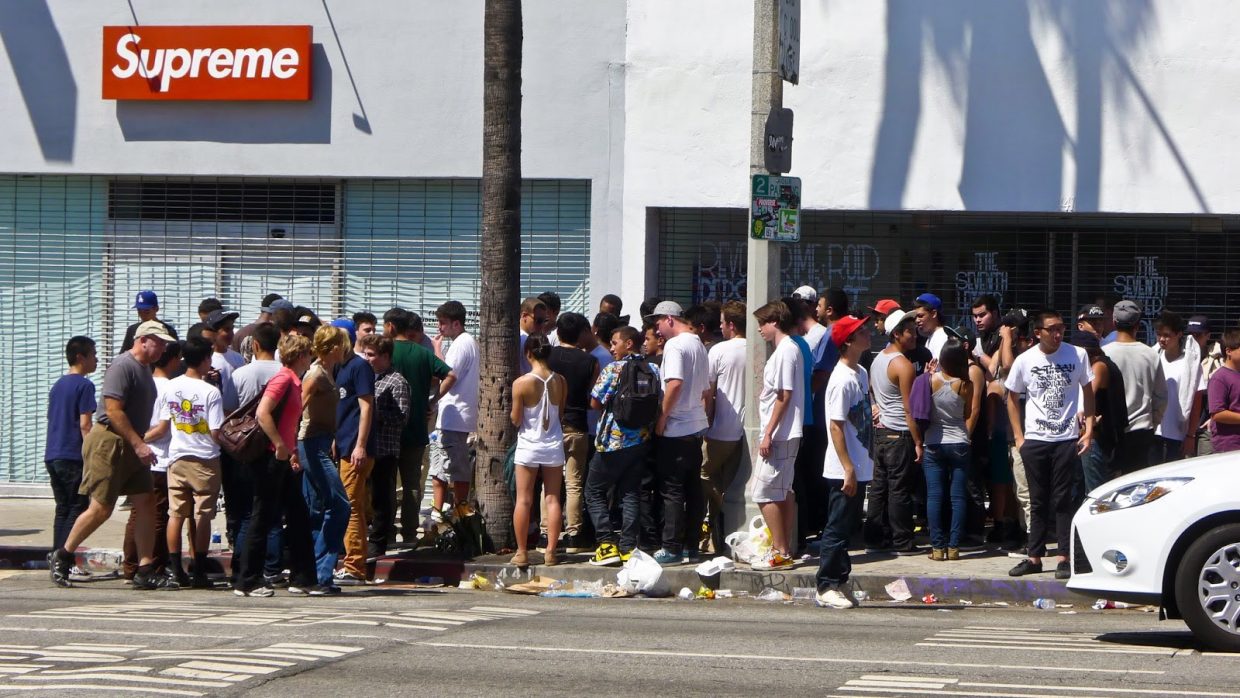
(978, 578)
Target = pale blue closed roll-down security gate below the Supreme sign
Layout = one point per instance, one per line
(76, 250)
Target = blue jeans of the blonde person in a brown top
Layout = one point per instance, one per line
(327, 504)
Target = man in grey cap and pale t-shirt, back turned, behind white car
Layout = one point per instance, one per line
(1145, 389)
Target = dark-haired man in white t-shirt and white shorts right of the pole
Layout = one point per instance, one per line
(782, 407)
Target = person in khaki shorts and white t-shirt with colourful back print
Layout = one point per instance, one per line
(192, 413)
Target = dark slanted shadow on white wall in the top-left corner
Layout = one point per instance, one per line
(45, 79)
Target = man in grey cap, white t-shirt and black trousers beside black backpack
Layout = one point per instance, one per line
(686, 375)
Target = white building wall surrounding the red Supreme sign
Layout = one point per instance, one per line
(397, 94)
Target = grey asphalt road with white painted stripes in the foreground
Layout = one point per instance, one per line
(104, 637)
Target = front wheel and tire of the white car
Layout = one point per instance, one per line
(1213, 560)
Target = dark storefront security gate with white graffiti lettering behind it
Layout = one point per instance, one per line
(1182, 263)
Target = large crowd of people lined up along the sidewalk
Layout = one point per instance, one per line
(885, 426)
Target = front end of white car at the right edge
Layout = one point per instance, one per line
(1167, 536)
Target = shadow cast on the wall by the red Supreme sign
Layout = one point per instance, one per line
(237, 122)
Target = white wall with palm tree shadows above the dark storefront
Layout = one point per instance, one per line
(1043, 106)
